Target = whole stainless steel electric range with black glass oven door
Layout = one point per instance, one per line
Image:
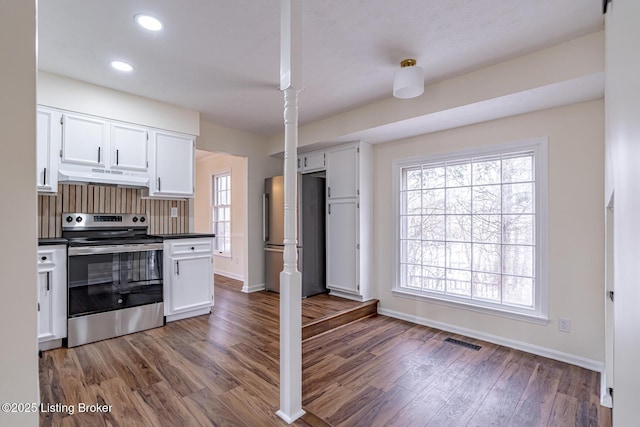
(114, 284)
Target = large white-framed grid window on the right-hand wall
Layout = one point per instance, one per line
(471, 228)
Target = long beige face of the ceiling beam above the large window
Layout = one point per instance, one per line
(567, 62)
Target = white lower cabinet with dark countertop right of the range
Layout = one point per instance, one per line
(188, 277)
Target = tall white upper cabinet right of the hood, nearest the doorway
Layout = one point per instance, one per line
(172, 165)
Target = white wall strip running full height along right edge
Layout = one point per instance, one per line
(622, 100)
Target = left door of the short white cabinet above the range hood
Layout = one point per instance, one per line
(83, 140)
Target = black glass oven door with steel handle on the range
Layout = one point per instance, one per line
(104, 278)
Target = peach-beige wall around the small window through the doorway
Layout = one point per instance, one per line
(214, 164)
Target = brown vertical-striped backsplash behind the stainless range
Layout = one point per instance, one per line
(108, 199)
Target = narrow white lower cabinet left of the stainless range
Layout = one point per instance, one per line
(52, 296)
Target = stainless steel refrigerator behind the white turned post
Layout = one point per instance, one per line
(311, 232)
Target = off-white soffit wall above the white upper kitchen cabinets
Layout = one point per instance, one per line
(73, 95)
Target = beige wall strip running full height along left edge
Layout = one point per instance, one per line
(19, 356)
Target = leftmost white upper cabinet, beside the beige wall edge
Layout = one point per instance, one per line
(48, 135)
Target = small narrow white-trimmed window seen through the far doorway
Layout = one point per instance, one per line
(221, 213)
